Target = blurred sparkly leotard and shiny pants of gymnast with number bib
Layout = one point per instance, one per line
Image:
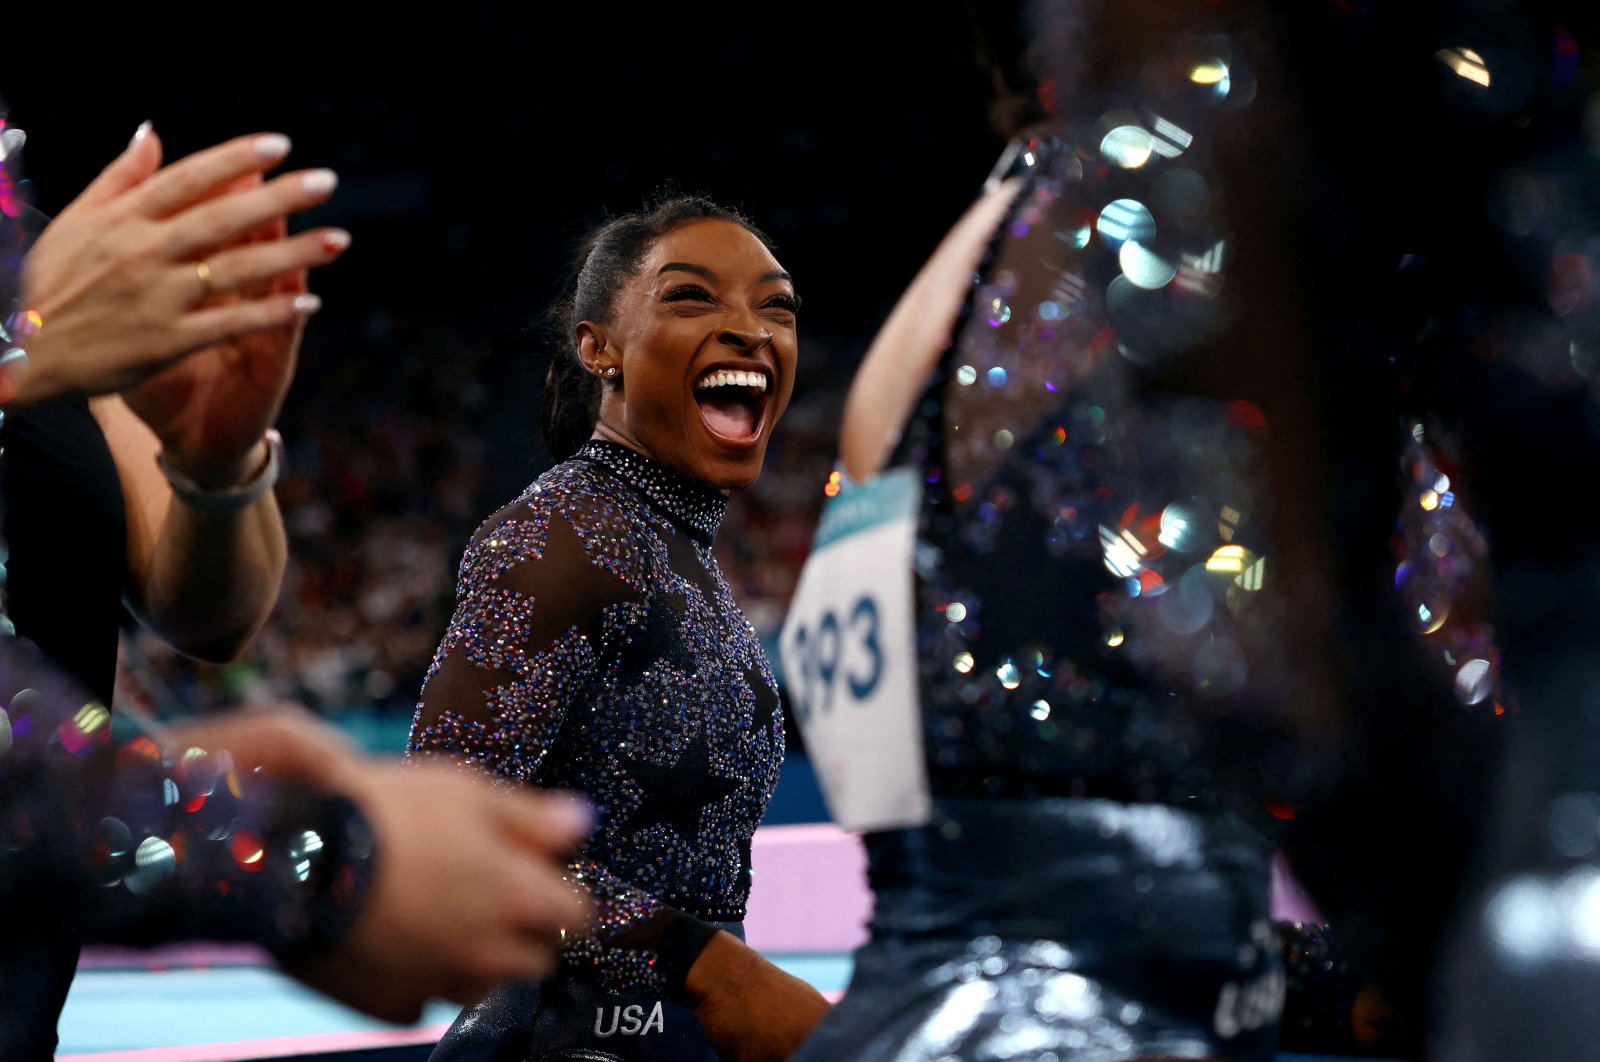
(1095, 629)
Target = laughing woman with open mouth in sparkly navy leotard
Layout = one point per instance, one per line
(596, 647)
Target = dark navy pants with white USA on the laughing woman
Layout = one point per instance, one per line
(569, 1020)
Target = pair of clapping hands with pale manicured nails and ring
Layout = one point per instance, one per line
(154, 263)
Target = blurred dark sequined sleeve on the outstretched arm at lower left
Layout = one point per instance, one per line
(140, 845)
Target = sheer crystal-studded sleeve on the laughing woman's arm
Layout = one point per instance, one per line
(543, 605)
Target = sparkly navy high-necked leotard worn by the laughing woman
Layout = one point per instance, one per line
(598, 649)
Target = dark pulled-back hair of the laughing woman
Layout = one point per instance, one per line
(607, 260)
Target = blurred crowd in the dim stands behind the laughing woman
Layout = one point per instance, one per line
(404, 431)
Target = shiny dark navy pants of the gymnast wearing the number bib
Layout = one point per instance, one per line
(1074, 930)
